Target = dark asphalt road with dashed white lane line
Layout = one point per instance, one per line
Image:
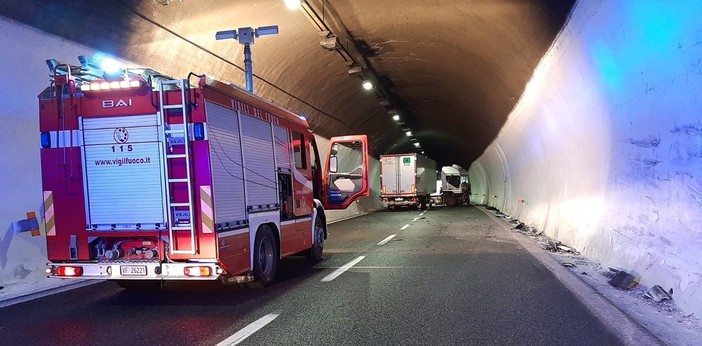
(449, 276)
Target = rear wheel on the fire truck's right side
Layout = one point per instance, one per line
(265, 257)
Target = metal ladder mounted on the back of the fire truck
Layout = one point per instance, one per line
(173, 133)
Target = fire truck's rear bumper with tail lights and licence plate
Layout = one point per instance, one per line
(136, 270)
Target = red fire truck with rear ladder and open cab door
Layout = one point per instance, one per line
(147, 178)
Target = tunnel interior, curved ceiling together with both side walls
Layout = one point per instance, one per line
(578, 118)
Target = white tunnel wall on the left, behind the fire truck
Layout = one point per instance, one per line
(22, 256)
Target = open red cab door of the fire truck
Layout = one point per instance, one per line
(346, 175)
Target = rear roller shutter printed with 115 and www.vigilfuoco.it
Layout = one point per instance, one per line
(123, 171)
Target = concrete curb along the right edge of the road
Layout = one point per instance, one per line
(617, 321)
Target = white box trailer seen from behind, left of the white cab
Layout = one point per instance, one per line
(407, 180)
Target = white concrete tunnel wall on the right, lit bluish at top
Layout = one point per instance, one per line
(604, 150)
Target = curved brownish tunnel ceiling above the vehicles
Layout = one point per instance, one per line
(453, 69)
